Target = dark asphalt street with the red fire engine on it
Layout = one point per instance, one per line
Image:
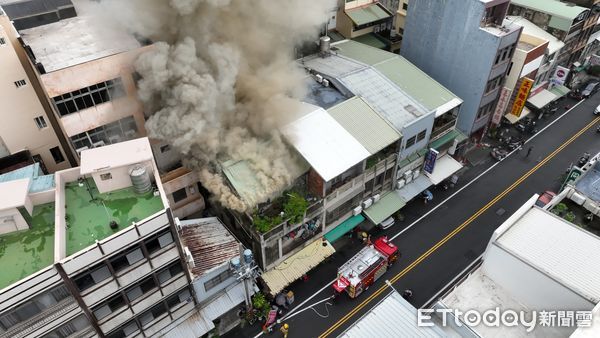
(446, 241)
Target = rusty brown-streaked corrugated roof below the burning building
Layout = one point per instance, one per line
(210, 243)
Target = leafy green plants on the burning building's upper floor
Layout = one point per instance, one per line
(289, 206)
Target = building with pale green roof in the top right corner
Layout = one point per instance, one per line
(571, 24)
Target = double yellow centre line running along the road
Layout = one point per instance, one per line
(458, 229)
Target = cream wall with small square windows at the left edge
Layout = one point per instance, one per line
(20, 106)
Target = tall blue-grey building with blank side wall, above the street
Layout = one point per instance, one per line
(467, 48)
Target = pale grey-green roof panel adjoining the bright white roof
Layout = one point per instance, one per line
(364, 124)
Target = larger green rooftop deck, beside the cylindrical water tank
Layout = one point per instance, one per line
(88, 221)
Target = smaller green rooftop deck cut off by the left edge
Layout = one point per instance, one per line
(23, 253)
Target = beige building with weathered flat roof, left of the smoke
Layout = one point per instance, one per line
(87, 74)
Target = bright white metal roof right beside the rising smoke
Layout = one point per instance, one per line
(324, 143)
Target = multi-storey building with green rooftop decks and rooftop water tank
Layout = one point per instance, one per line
(97, 251)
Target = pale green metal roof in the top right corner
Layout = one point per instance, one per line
(558, 10)
